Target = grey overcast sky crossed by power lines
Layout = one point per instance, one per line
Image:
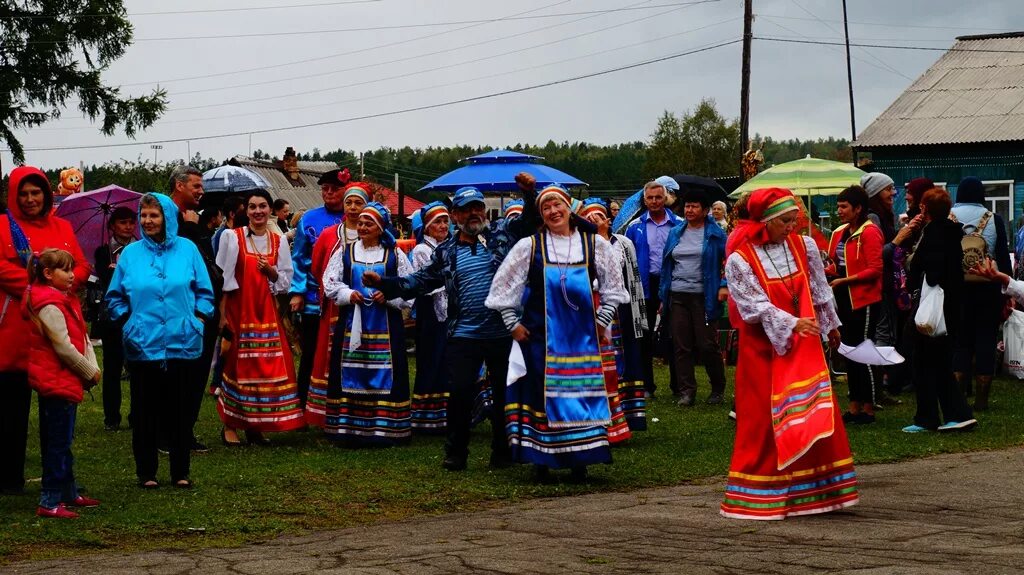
(328, 71)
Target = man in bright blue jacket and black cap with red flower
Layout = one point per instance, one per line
(306, 287)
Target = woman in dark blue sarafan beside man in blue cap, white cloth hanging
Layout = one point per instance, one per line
(368, 385)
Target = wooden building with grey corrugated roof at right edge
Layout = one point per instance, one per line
(964, 117)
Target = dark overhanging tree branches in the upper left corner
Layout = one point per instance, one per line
(44, 47)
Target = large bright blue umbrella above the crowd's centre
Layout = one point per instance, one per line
(496, 171)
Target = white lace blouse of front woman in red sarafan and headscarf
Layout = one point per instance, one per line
(754, 305)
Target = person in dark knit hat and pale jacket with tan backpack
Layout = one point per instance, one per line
(982, 308)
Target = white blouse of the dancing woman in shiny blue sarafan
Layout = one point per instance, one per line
(510, 281)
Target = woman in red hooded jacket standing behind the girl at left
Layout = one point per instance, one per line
(27, 228)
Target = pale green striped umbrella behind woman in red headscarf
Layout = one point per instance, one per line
(809, 176)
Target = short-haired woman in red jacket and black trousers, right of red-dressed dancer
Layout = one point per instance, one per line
(856, 250)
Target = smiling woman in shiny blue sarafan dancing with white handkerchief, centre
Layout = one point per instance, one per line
(558, 411)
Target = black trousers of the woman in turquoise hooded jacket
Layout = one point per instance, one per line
(165, 396)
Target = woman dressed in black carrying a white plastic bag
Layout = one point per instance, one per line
(937, 263)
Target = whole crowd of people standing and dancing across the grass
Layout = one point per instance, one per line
(544, 322)
